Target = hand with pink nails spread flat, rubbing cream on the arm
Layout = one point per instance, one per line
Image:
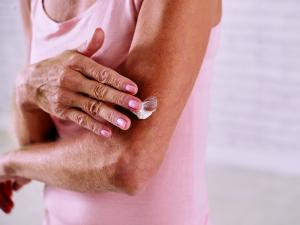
(73, 87)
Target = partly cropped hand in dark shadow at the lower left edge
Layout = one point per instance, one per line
(8, 185)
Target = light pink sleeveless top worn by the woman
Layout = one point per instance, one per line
(176, 195)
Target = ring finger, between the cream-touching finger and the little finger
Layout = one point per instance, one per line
(98, 109)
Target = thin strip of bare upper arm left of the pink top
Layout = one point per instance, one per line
(26, 21)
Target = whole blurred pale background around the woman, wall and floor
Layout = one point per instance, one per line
(253, 154)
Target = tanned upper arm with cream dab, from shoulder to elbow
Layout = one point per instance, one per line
(169, 45)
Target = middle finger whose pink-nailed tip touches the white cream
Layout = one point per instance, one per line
(102, 92)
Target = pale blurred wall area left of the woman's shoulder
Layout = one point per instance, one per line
(11, 53)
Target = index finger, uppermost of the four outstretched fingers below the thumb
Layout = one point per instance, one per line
(103, 74)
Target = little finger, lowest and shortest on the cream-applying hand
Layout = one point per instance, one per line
(87, 122)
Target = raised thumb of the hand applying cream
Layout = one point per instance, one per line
(90, 47)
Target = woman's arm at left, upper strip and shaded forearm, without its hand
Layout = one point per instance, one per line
(31, 126)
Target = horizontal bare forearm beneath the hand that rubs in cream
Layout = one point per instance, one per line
(84, 164)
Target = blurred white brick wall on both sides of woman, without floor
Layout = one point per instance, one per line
(255, 107)
